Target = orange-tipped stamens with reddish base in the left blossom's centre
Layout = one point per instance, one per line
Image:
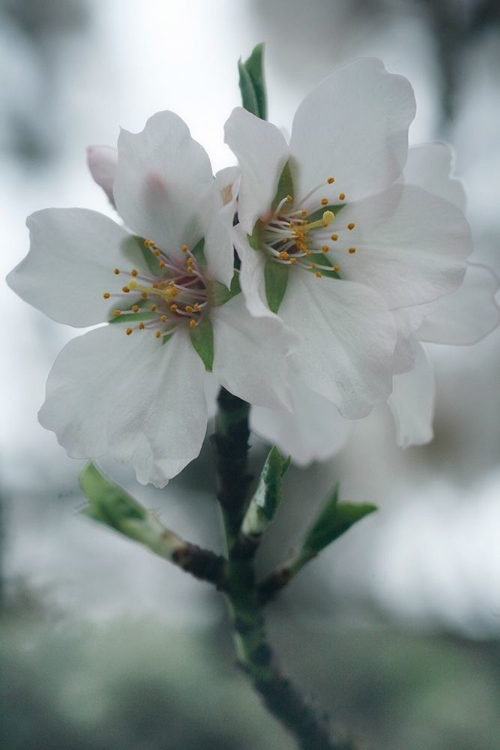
(173, 296)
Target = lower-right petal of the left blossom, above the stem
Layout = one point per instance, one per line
(250, 354)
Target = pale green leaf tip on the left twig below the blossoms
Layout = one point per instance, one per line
(109, 503)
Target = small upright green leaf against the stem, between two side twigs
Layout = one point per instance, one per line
(267, 497)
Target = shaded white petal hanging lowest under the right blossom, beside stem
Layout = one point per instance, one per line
(314, 431)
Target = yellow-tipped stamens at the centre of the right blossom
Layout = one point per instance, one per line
(299, 234)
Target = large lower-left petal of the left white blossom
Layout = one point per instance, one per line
(130, 397)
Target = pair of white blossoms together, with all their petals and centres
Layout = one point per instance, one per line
(351, 251)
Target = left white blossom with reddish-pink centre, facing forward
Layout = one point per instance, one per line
(134, 388)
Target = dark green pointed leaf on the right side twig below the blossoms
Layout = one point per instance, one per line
(333, 520)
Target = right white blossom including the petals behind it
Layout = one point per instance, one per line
(355, 255)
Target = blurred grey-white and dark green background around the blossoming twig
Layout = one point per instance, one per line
(395, 630)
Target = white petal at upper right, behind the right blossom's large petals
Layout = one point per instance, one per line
(430, 166)
